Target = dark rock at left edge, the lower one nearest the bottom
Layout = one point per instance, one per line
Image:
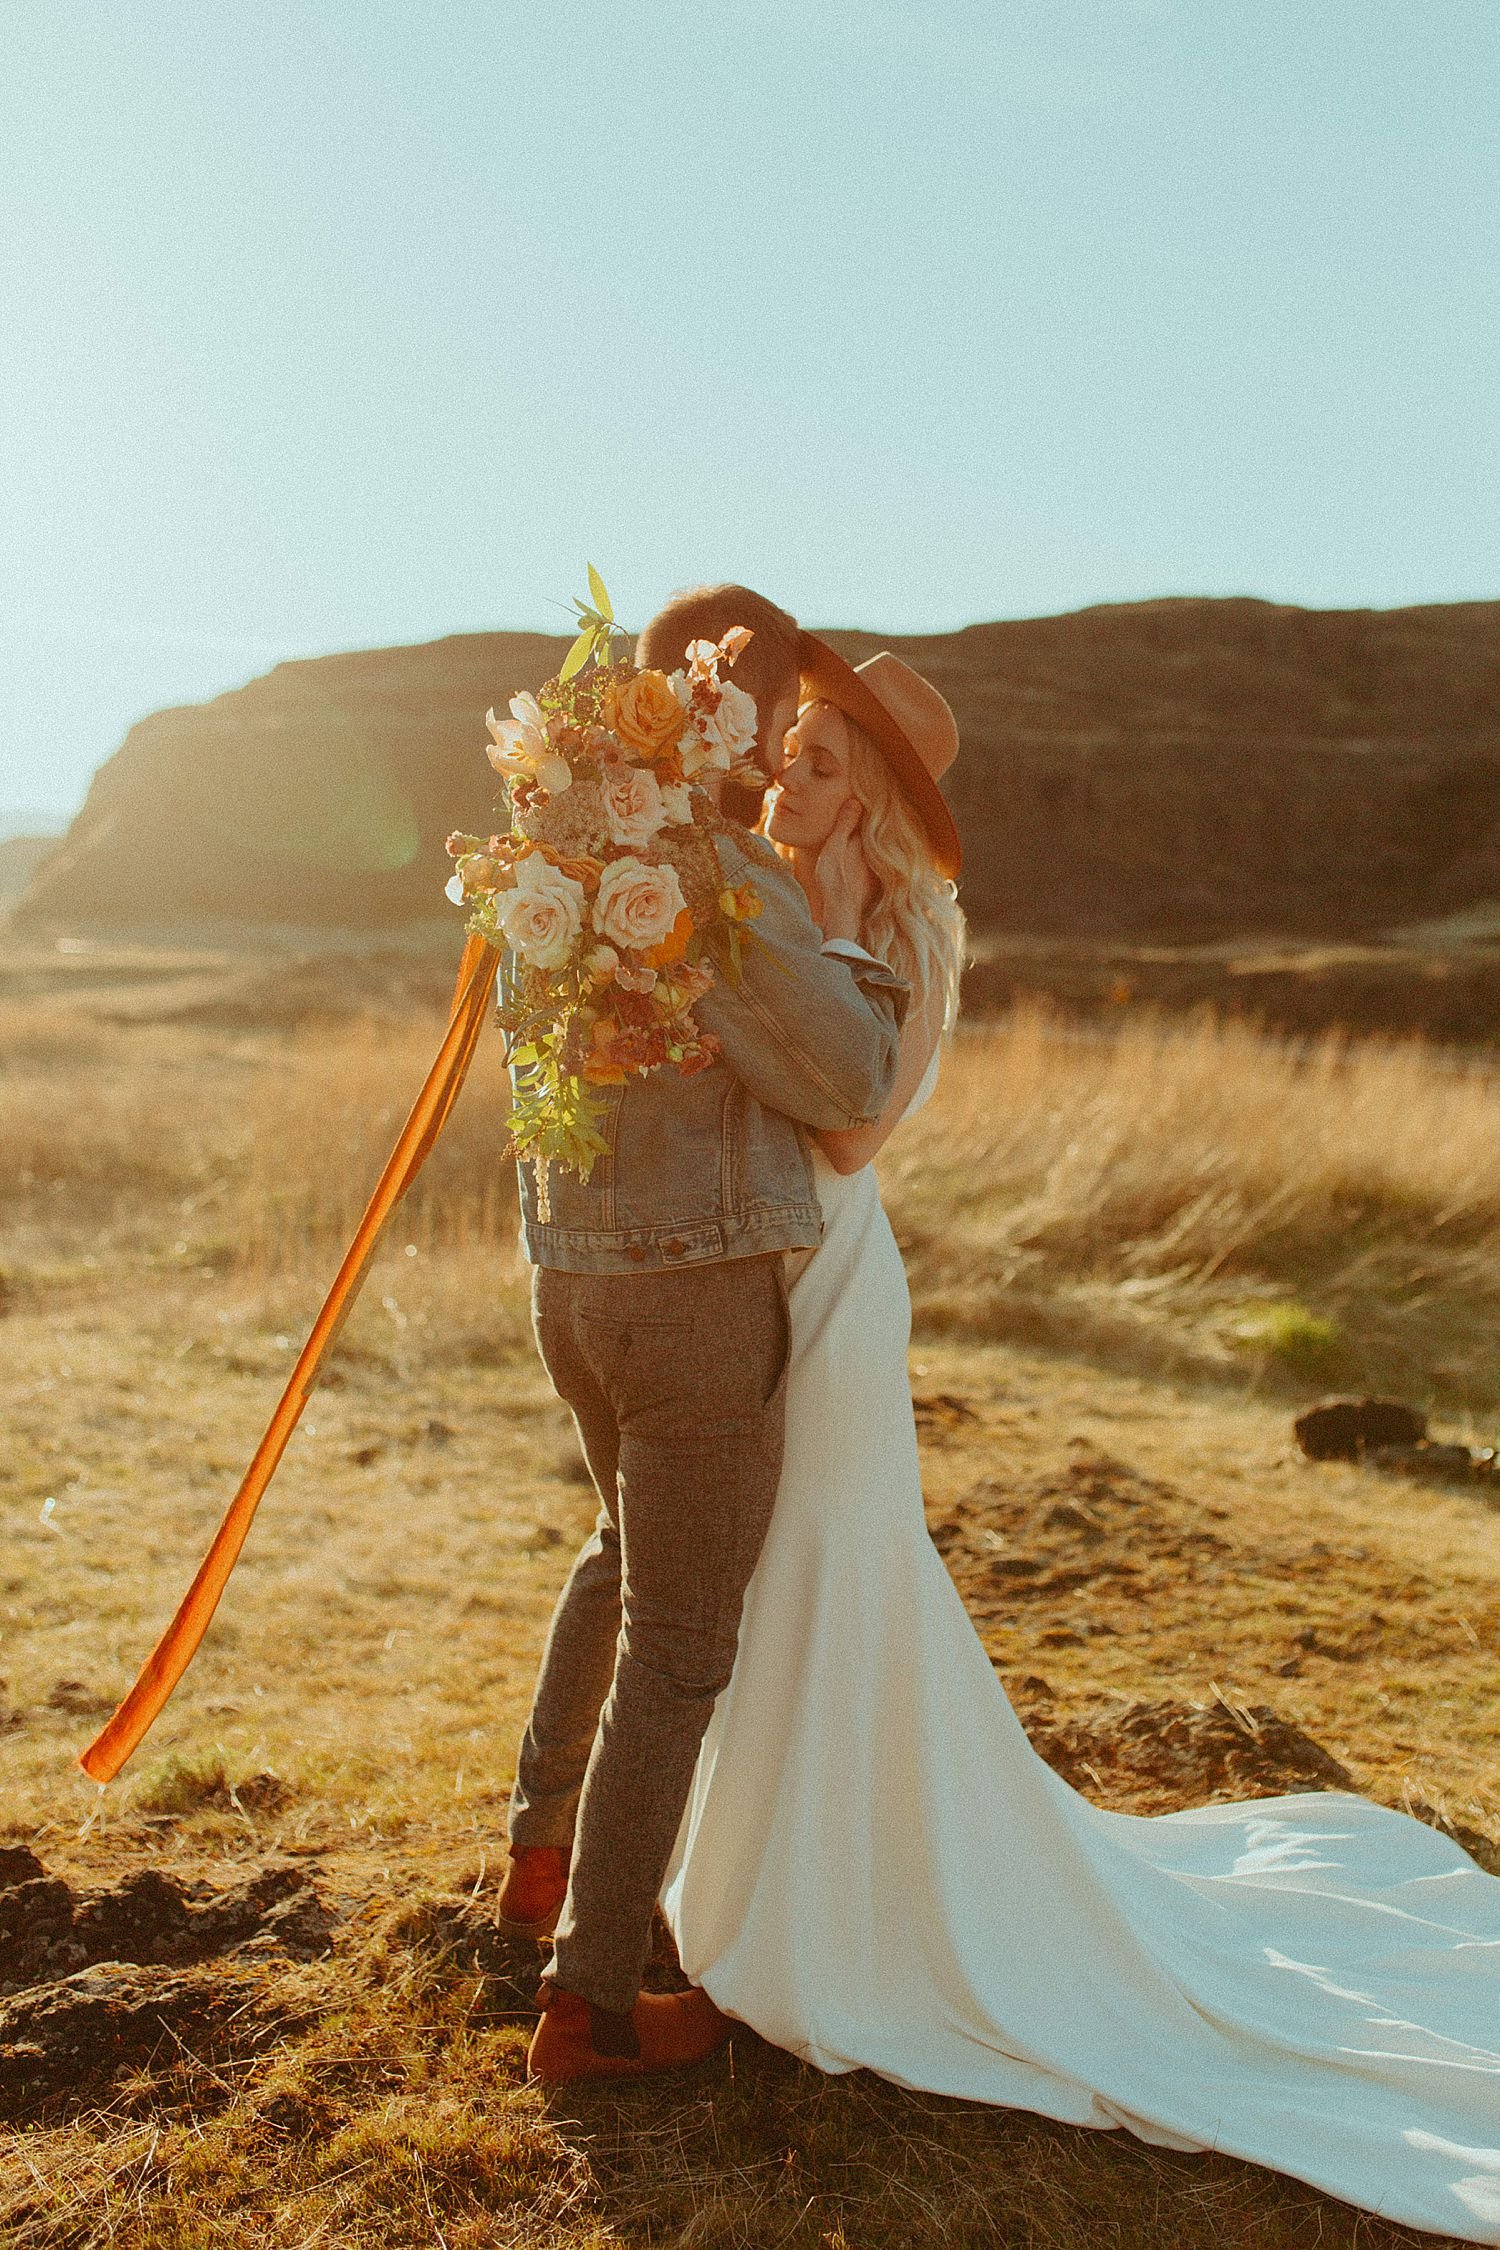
(75, 2035)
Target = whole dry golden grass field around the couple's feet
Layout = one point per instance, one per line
(1130, 1259)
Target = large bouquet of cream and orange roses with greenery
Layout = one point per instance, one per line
(604, 885)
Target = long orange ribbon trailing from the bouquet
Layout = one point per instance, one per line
(179, 1644)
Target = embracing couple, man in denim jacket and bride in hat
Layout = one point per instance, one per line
(763, 1704)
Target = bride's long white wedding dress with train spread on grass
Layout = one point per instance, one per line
(876, 1869)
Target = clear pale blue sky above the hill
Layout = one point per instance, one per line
(338, 323)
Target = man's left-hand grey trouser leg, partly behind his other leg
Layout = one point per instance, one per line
(581, 1639)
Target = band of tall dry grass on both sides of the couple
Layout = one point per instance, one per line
(1148, 1191)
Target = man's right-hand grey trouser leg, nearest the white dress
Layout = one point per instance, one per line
(694, 1365)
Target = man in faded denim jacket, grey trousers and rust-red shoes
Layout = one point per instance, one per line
(660, 1308)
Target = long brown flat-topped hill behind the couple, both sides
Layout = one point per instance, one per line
(1171, 768)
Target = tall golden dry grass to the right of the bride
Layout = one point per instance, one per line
(1193, 1194)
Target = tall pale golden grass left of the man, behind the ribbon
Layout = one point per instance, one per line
(242, 1151)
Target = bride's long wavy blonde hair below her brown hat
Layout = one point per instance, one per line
(914, 924)
